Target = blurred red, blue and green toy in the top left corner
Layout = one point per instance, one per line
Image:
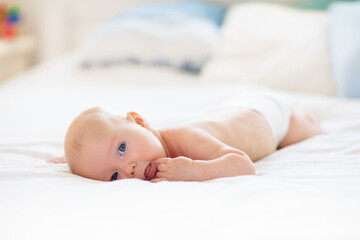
(9, 21)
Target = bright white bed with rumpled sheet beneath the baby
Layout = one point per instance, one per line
(309, 190)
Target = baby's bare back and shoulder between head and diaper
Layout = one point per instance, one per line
(234, 127)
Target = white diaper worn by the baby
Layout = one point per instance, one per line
(276, 112)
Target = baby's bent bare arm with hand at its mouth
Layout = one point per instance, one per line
(229, 162)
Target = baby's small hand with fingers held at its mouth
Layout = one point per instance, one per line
(174, 169)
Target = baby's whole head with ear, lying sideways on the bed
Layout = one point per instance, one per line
(104, 146)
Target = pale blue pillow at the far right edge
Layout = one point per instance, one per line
(345, 47)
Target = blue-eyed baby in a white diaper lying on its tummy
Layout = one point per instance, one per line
(106, 146)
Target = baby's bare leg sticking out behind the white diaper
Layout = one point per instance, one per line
(303, 125)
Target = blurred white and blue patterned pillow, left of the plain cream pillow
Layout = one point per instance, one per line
(181, 35)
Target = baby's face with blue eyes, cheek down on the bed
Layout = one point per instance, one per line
(118, 148)
